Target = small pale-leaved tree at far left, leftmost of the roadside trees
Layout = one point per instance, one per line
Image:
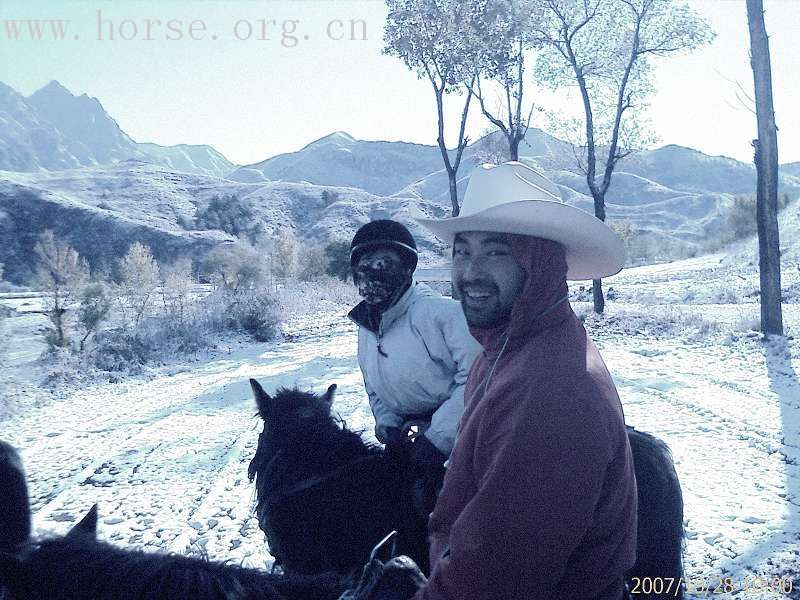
(61, 274)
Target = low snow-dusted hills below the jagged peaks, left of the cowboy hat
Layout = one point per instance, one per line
(102, 210)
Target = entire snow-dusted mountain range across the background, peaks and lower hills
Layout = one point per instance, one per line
(65, 164)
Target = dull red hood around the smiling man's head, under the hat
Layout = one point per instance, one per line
(543, 300)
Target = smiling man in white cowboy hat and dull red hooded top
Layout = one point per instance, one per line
(539, 499)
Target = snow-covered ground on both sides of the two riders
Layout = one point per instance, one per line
(166, 456)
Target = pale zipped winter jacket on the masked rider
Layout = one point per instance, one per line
(417, 363)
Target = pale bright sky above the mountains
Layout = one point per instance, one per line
(254, 98)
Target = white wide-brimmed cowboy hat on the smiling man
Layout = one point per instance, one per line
(514, 198)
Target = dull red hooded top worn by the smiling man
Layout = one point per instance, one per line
(539, 499)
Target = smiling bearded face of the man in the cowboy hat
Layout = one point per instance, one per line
(487, 277)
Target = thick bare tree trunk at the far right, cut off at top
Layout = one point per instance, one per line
(766, 159)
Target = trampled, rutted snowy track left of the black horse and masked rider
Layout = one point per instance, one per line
(167, 458)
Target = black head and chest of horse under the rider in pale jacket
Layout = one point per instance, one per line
(324, 496)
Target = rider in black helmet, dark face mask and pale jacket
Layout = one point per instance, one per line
(414, 350)
